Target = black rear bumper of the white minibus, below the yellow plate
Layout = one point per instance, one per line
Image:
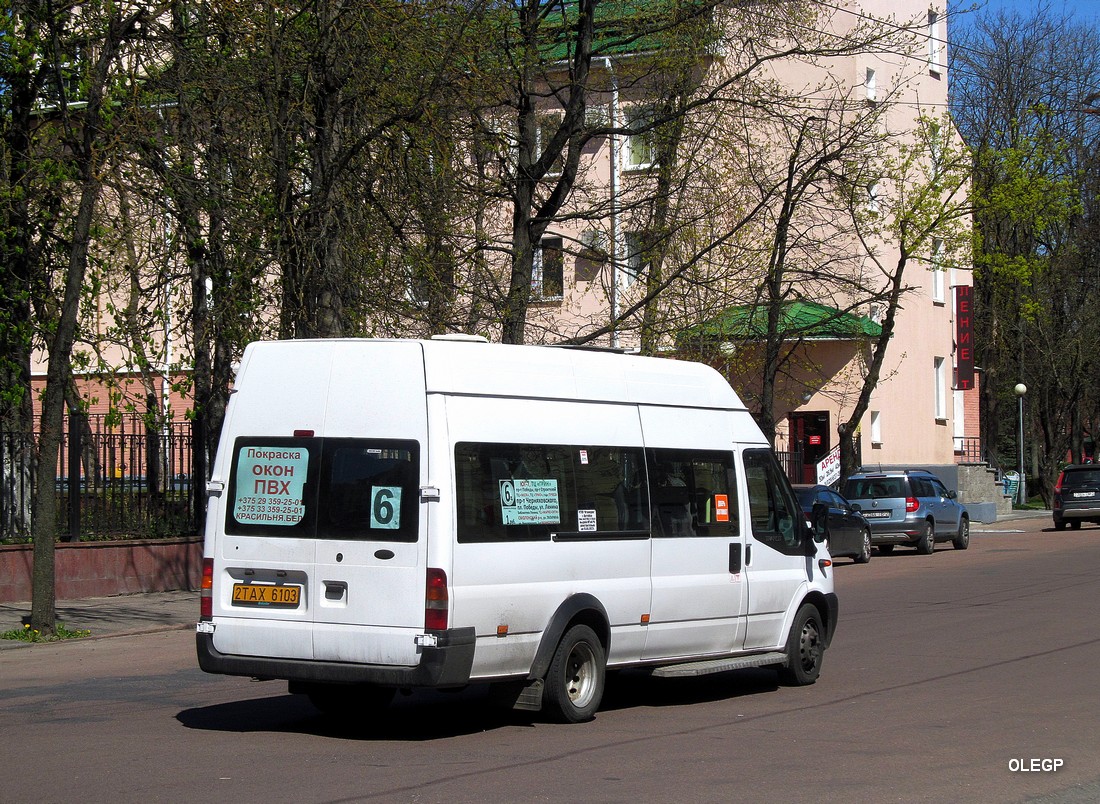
(448, 664)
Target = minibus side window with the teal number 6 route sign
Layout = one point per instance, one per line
(542, 492)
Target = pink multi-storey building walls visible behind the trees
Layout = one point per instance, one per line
(589, 273)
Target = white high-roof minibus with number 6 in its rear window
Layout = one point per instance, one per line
(398, 514)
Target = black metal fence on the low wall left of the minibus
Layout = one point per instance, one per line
(116, 479)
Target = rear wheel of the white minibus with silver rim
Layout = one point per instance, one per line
(575, 684)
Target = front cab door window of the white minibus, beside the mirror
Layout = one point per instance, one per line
(777, 520)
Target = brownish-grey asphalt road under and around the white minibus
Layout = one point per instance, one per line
(952, 676)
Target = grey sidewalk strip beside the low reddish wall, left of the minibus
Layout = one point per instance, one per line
(111, 616)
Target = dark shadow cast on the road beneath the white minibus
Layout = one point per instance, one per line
(434, 715)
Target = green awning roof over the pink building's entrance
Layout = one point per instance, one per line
(799, 321)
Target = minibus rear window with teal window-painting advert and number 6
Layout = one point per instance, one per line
(326, 489)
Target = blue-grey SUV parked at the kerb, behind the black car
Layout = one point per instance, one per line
(910, 508)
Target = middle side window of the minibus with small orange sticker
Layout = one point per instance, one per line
(694, 493)
